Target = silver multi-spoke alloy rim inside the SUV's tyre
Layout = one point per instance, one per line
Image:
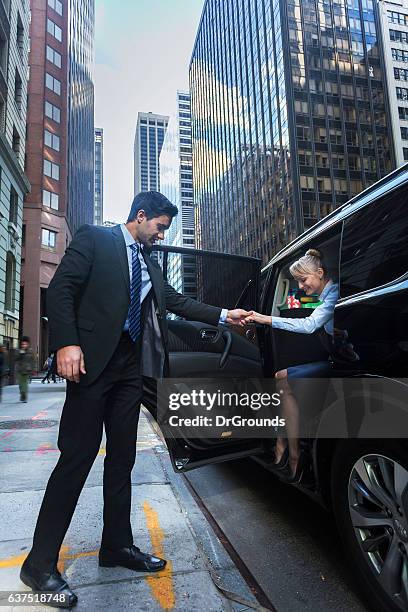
(378, 505)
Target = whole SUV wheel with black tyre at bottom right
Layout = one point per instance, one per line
(370, 500)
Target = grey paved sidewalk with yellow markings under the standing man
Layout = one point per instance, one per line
(163, 515)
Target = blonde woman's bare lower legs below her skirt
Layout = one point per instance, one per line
(290, 412)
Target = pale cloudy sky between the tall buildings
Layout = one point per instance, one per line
(142, 54)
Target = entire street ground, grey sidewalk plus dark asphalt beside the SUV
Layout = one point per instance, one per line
(284, 545)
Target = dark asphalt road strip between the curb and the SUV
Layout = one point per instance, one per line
(287, 541)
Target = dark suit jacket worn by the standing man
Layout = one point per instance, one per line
(88, 301)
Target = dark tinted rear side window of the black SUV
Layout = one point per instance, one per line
(375, 244)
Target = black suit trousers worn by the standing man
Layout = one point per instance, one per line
(112, 400)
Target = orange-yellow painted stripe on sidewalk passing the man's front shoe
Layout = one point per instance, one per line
(161, 585)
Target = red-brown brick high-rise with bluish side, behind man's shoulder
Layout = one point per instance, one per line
(60, 150)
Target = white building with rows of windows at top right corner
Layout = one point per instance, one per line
(394, 27)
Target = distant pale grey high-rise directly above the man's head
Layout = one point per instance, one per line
(149, 137)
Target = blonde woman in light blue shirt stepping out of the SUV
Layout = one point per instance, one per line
(312, 276)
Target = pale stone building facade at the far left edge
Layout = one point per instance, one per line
(14, 42)
